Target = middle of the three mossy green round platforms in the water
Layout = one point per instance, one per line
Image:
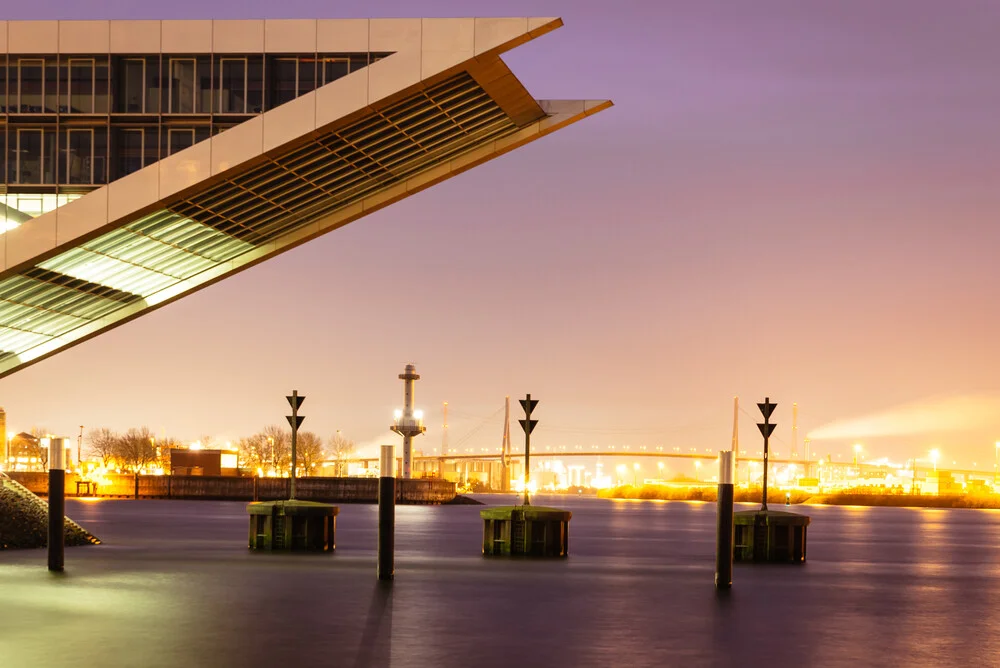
(531, 531)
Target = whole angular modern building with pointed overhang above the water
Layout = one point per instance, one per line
(144, 160)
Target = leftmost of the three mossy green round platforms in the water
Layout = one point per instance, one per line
(293, 526)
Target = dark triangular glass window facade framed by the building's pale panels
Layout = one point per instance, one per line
(71, 123)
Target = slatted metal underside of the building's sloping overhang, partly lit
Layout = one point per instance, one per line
(61, 299)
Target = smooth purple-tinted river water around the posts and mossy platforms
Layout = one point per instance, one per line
(174, 585)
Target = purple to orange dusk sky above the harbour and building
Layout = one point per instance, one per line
(790, 199)
